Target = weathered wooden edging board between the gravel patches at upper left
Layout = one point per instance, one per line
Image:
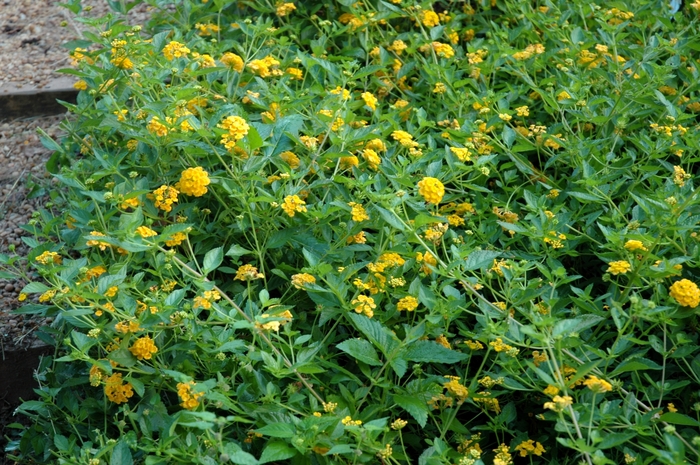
(18, 102)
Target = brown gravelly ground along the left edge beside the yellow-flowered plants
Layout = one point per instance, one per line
(32, 34)
